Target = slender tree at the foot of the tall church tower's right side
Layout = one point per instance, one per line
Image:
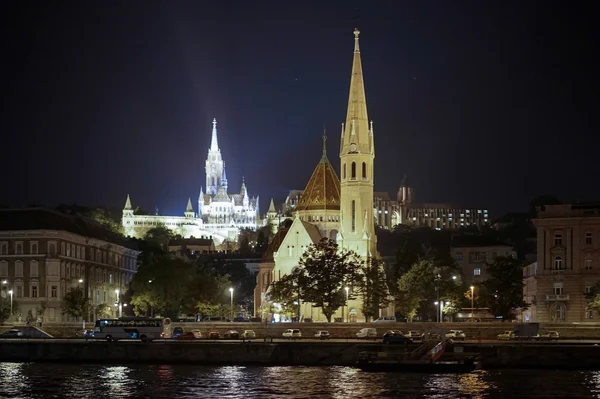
(372, 287)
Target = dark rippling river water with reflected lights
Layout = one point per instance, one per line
(30, 380)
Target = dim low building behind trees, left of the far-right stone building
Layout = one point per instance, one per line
(473, 254)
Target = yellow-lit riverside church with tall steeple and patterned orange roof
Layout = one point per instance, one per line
(339, 209)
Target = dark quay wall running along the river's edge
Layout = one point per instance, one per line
(506, 355)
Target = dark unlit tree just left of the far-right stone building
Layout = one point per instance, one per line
(503, 290)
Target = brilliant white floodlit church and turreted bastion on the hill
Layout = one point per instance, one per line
(220, 214)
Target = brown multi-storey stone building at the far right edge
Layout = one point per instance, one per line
(568, 263)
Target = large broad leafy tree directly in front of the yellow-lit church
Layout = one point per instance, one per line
(324, 272)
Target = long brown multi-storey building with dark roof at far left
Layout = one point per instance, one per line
(43, 254)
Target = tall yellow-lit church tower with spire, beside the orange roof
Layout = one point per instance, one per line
(357, 153)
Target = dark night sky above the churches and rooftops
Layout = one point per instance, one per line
(488, 103)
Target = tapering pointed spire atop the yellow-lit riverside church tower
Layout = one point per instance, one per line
(357, 120)
